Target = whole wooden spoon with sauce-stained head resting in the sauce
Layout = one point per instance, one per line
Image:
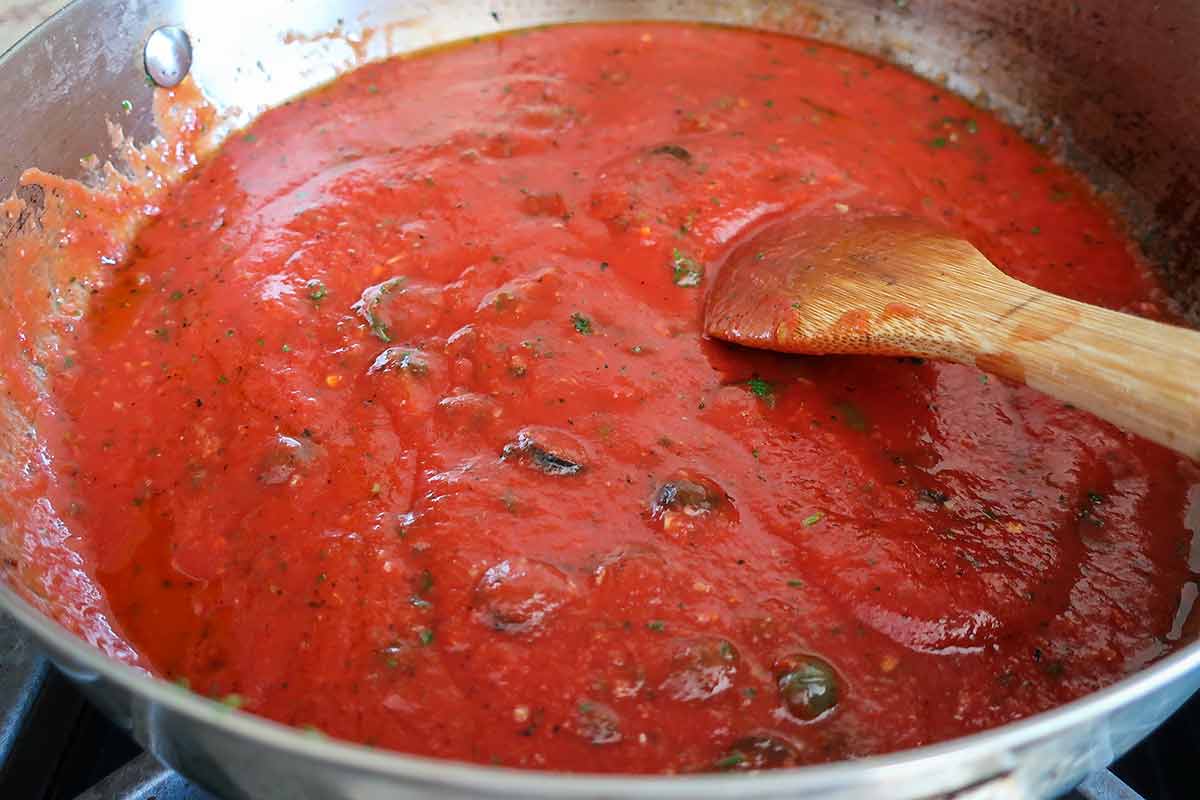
(895, 286)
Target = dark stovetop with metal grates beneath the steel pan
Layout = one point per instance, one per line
(56, 747)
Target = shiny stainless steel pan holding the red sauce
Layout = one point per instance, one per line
(1112, 85)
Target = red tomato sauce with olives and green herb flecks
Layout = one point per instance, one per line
(399, 423)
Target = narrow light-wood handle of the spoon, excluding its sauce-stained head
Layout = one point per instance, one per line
(1136, 374)
